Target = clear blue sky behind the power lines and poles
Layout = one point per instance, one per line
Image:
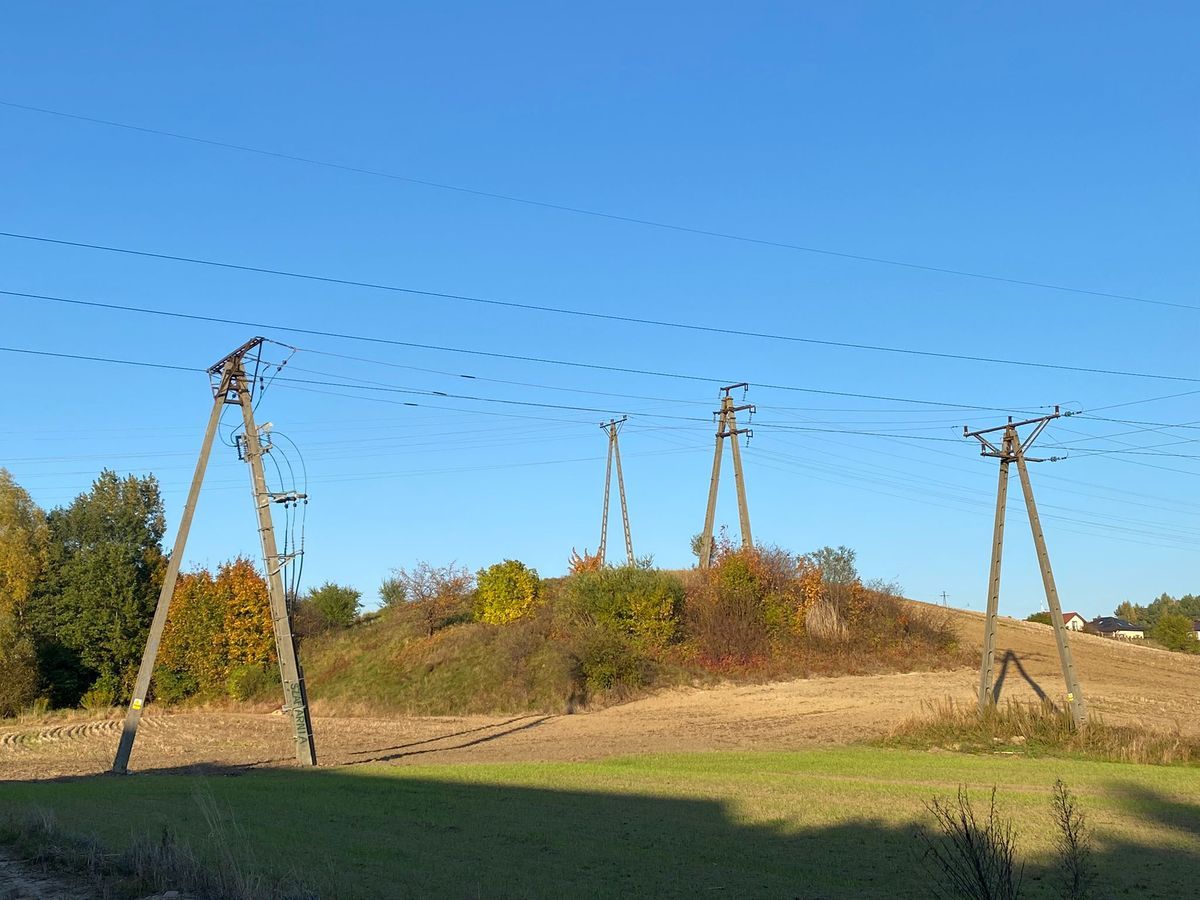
(1040, 145)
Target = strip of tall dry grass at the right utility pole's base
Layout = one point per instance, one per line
(1040, 730)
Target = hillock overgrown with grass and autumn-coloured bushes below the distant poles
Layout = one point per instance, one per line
(607, 635)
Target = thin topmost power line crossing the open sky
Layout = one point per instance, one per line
(601, 214)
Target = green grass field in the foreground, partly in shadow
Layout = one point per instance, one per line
(821, 824)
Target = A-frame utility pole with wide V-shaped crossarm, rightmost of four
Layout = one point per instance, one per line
(1012, 449)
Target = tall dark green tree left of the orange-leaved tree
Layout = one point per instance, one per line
(93, 610)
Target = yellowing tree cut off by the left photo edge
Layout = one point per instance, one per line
(23, 550)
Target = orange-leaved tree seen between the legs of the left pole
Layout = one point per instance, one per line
(215, 626)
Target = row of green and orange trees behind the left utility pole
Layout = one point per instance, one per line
(79, 589)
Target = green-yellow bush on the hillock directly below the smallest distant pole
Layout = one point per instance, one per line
(638, 602)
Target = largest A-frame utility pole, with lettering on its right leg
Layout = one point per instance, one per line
(232, 386)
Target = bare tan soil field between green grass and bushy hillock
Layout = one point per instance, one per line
(1121, 682)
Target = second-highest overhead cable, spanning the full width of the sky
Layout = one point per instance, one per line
(590, 314)
